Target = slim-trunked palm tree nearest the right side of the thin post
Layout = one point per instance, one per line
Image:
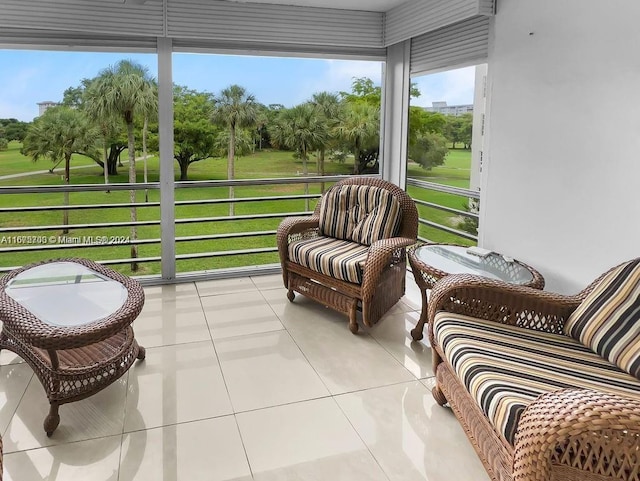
(235, 108)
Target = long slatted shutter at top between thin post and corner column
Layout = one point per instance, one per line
(247, 22)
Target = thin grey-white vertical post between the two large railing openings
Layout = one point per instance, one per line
(167, 193)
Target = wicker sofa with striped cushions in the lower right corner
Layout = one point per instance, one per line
(546, 386)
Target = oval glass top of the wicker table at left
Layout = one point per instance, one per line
(66, 293)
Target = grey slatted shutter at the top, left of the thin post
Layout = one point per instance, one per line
(90, 16)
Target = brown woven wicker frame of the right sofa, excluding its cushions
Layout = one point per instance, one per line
(564, 435)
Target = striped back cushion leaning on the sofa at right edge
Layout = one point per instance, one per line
(608, 320)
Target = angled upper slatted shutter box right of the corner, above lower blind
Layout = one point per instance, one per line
(416, 17)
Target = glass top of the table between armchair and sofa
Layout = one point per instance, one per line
(456, 260)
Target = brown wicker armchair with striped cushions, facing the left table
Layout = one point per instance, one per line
(350, 254)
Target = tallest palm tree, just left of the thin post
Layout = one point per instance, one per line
(124, 90)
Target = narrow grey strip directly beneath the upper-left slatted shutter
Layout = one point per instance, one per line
(63, 40)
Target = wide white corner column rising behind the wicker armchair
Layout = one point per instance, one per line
(395, 114)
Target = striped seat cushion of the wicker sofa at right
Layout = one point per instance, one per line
(505, 368)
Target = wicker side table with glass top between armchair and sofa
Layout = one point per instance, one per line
(431, 262)
